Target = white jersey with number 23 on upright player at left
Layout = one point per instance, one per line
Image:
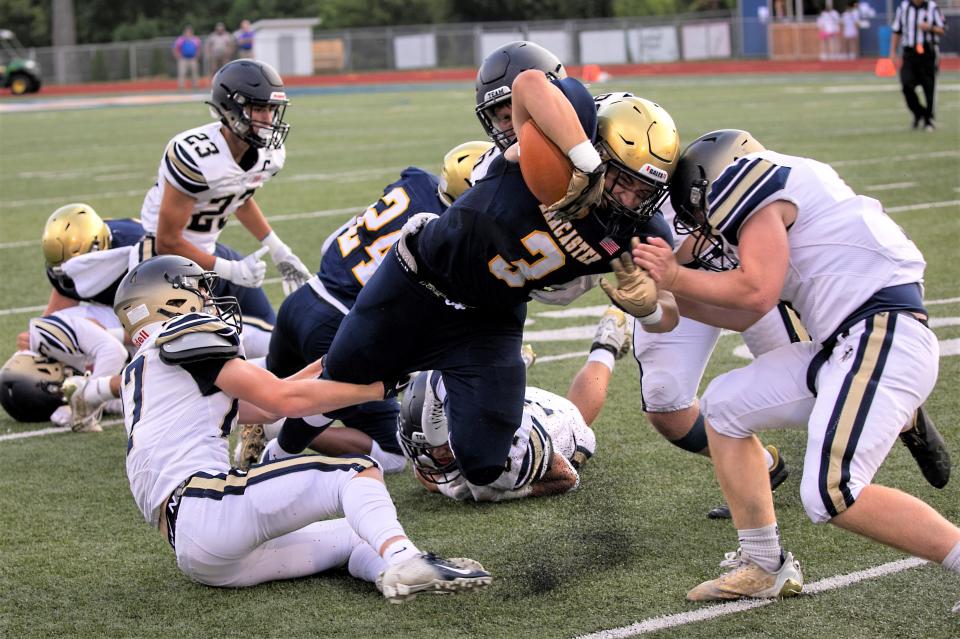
(198, 163)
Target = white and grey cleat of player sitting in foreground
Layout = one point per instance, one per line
(429, 573)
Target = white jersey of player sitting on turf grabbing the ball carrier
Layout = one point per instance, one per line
(174, 430)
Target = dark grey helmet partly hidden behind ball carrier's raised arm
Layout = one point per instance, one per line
(495, 84)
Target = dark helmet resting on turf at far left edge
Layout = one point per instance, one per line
(30, 386)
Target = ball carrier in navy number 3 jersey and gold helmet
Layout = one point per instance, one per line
(452, 294)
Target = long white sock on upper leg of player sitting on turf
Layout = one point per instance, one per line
(370, 511)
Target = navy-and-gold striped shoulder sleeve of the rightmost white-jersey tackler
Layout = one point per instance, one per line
(741, 190)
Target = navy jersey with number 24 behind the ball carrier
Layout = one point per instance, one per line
(360, 245)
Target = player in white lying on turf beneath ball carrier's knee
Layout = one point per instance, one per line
(551, 445)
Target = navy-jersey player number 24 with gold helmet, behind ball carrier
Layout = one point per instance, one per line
(308, 319)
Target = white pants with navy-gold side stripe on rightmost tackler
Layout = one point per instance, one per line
(878, 374)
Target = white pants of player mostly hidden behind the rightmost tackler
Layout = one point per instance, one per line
(672, 364)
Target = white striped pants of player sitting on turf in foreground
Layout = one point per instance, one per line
(240, 529)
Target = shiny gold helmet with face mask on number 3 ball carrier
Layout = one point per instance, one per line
(638, 141)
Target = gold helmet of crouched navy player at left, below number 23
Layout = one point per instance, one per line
(74, 229)
